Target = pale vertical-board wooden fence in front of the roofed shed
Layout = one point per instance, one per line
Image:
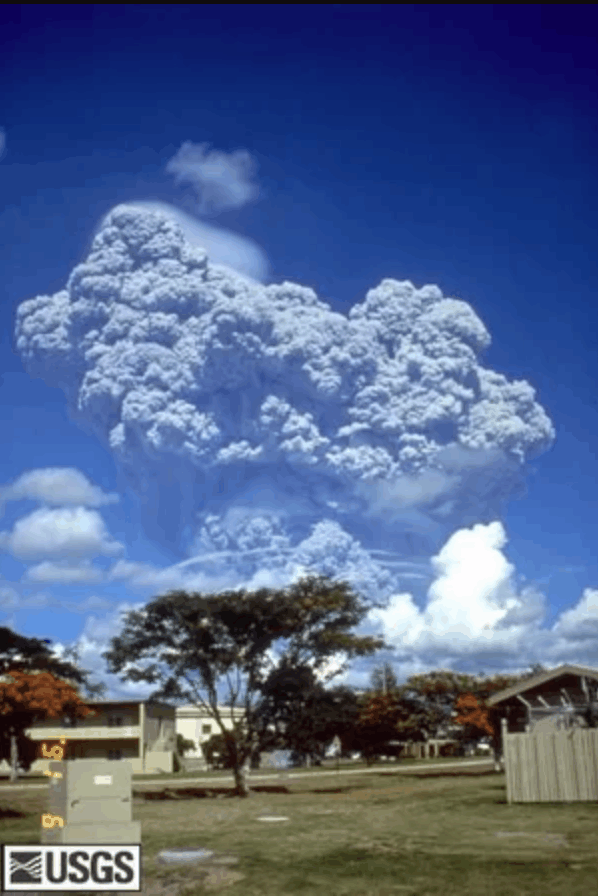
(559, 766)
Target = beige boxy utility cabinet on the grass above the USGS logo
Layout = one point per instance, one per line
(93, 798)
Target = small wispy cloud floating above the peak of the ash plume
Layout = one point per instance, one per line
(220, 180)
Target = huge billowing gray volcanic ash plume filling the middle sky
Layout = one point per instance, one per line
(264, 432)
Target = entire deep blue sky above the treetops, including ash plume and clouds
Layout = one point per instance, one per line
(422, 153)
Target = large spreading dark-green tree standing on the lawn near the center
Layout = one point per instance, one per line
(207, 641)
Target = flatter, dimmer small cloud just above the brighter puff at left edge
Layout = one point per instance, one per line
(57, 486)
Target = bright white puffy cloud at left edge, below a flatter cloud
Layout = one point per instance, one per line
(62, 534)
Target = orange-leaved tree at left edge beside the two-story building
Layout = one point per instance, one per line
(27, 697)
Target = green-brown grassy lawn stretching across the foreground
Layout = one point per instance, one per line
(437, 832)
